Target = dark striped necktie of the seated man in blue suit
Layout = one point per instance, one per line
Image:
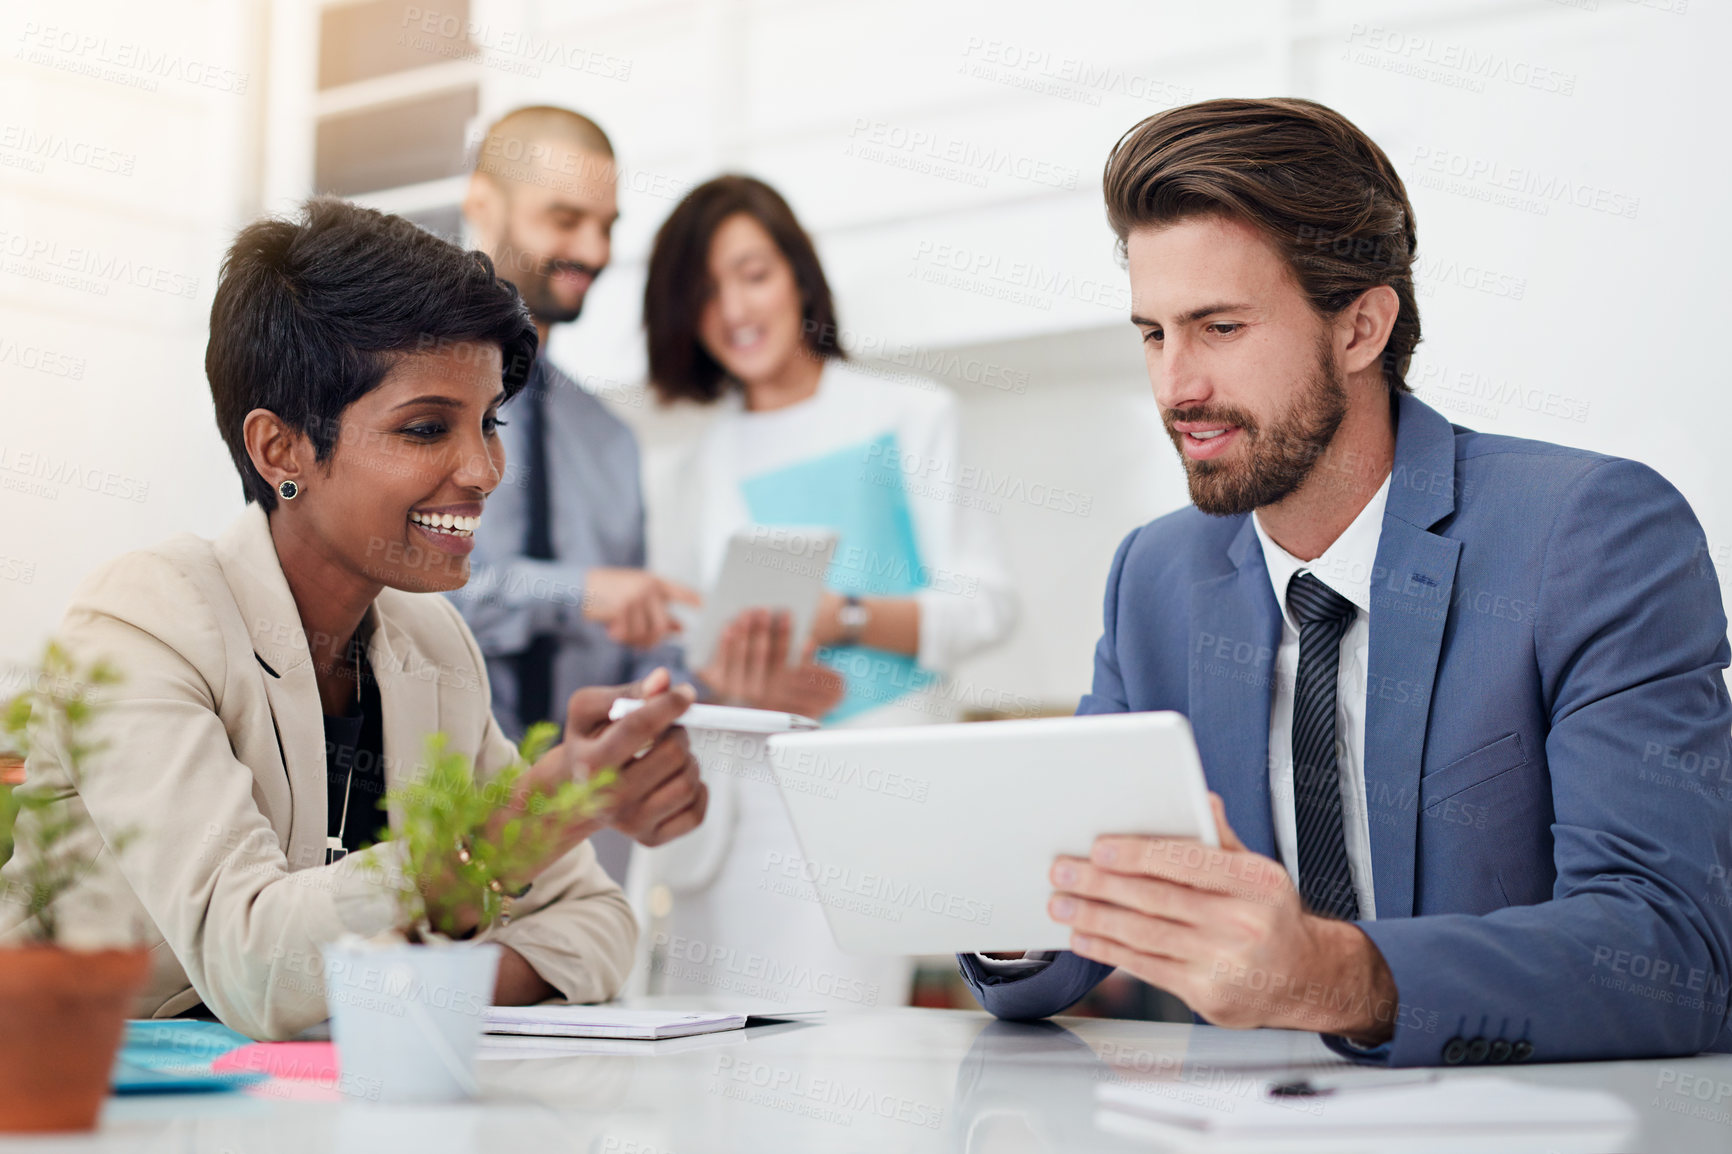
(1326, 881)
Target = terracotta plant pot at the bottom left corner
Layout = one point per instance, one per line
(63, 1013)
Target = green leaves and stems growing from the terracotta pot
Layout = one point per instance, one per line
(55, 710)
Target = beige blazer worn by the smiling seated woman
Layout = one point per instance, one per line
(216, 767)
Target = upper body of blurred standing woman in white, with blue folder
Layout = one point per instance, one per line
(739, 318)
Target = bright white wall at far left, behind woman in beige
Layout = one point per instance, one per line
(127, 148)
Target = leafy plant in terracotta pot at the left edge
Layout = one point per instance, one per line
(63, 1008)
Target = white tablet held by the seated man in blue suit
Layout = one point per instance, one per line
(940, 840)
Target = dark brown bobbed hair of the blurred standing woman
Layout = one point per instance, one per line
(680, 283)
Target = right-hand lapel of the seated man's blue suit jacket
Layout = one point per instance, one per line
(1412, 590)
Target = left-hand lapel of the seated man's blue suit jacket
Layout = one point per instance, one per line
(1234, 633)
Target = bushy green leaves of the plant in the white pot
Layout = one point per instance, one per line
(444, 808)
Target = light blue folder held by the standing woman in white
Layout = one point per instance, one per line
(860, 495)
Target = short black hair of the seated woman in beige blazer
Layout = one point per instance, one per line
(311, 314)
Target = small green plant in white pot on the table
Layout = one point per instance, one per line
(408, 1009)
